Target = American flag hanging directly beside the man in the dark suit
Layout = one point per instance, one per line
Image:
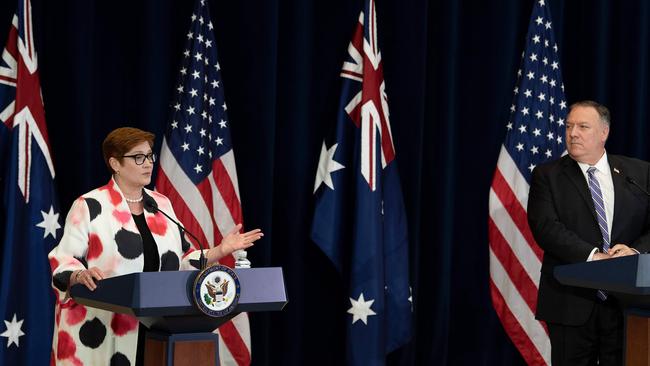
(535, 134)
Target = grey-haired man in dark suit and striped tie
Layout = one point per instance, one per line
(587, 205)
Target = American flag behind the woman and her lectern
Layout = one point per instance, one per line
(197, 164)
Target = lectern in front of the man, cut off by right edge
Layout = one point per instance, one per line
(627, 279)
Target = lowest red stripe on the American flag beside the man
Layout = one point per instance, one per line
(517, 334)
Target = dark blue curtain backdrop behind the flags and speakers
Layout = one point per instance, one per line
(450, 68)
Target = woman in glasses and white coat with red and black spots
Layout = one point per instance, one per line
(110, 232)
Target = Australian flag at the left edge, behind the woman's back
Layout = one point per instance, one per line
(29, 225)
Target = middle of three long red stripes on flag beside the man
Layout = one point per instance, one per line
(512, 266)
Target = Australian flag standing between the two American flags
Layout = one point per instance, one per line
(359, 219)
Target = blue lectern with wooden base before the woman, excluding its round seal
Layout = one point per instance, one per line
(179, 333)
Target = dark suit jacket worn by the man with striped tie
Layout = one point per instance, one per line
(563, 221)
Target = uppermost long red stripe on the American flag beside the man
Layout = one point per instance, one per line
(515, 210)
